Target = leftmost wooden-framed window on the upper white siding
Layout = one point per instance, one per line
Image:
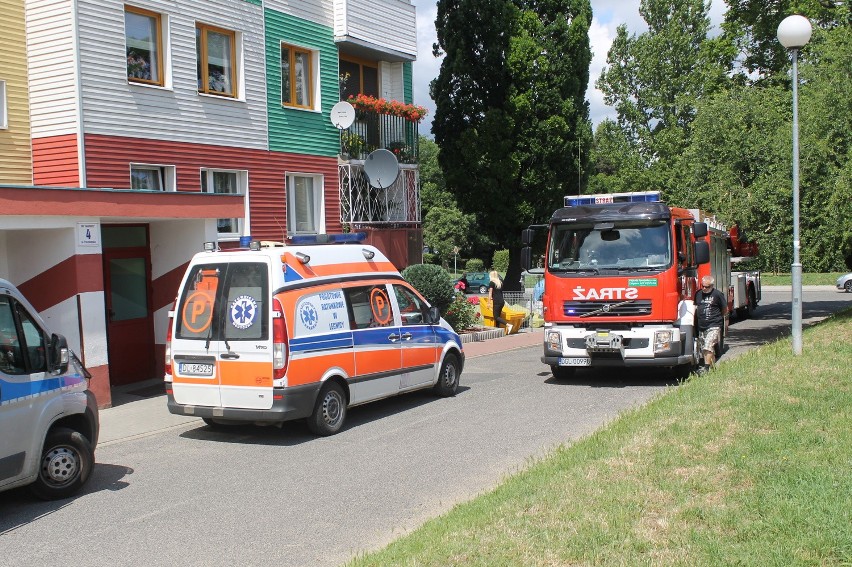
(144, 46)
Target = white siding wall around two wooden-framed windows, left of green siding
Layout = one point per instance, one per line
(176, 112)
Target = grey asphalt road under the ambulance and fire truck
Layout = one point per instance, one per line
(263, 496)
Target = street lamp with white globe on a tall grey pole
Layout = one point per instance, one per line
(794, 32)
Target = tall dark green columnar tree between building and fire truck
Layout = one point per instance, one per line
(511, 109)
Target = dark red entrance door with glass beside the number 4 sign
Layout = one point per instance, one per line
(127, 285)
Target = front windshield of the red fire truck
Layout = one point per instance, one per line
(629, 246)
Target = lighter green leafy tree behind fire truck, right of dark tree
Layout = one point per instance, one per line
(655, 79)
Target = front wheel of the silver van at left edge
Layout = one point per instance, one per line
(66, 462)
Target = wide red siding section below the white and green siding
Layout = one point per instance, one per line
(108, 160)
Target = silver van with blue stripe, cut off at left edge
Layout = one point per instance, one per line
(48, 417)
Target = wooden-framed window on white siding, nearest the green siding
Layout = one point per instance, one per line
(215, 50)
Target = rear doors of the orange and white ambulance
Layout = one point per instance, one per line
(222, 343)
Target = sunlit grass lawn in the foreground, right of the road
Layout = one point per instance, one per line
(750, 464)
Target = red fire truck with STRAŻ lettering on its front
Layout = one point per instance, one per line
(620, 274)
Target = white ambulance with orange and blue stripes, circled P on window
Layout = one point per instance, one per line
(306, 329)
